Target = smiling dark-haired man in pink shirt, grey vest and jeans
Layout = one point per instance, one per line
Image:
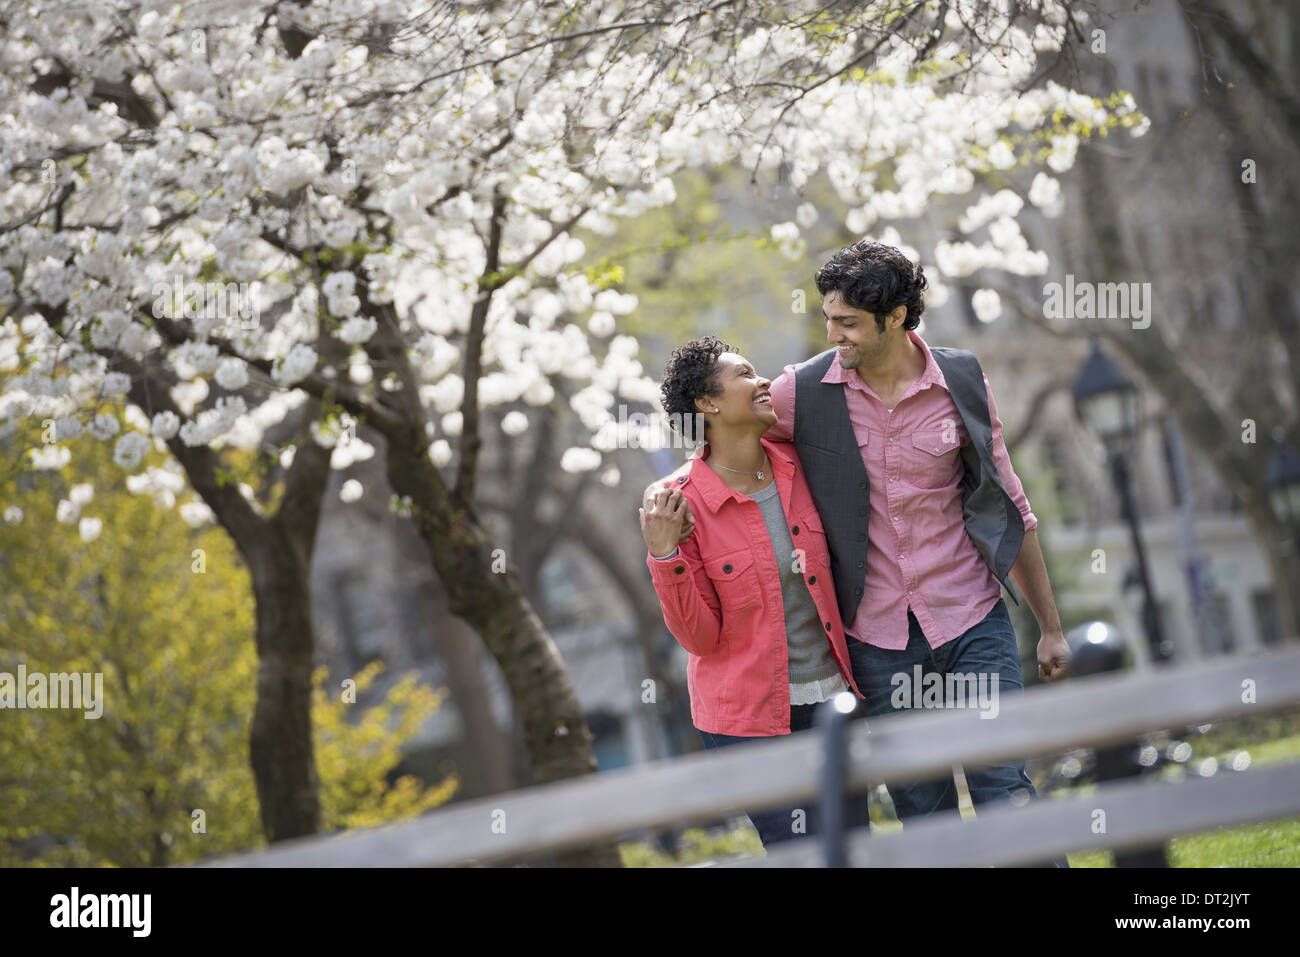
(925, 516)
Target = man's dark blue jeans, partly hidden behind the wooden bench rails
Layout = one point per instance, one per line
(989, 648)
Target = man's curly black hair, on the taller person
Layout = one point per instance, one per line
(877, 279)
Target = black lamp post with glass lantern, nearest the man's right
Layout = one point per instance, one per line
(1107, 405)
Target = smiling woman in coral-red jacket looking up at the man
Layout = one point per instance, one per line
(749, 592)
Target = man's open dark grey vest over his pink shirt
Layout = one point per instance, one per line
(838, 478)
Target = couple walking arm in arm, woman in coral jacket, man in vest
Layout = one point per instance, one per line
(846, 527)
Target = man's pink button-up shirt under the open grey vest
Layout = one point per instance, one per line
(918, 555)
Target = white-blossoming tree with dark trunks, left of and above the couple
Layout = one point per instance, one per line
(246, 226)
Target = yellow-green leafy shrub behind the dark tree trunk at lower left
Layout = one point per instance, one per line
(176, 649)
